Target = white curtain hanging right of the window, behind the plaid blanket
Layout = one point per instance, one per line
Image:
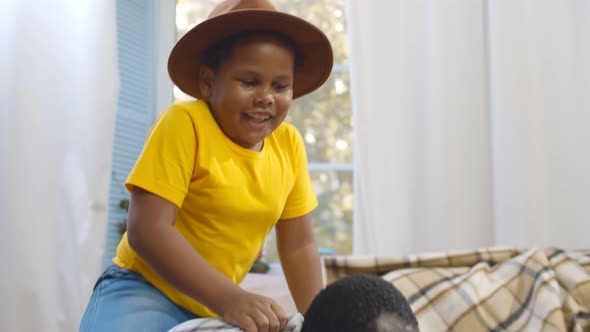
(472, 122)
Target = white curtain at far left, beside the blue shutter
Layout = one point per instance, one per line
(58, 96)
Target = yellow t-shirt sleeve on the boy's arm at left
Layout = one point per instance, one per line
(165, 166)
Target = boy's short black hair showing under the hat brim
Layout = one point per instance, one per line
(220, 51)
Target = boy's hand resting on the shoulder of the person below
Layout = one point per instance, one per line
(254, 313)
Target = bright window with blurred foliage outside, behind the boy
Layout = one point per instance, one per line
(324, 119)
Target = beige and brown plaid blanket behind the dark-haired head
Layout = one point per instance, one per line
(496, 289)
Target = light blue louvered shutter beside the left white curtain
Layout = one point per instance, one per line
(135, 114)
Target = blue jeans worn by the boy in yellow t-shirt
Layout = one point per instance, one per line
(123, 300)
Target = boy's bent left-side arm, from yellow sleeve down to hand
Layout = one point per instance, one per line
(152, 235)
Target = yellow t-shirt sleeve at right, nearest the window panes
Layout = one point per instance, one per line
(302, 198)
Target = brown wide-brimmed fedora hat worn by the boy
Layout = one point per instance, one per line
(236, 16)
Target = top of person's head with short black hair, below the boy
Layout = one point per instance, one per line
(360, 303)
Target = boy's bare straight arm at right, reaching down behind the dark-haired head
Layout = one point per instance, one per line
(300, 260)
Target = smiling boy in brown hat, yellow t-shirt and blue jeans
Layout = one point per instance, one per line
(216, 175)
